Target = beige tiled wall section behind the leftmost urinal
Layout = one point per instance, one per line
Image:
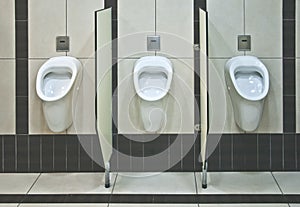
(48, 19)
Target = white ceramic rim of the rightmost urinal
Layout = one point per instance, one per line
(248, 61)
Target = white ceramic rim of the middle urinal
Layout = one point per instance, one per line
(143, 65)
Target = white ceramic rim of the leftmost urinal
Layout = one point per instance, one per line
(71, 63)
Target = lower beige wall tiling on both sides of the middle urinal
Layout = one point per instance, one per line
(180, 102)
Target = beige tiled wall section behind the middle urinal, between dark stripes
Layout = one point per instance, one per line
(136, 20)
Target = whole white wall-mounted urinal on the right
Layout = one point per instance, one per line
(247, 81)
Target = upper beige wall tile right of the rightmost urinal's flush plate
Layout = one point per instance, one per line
(263, 21)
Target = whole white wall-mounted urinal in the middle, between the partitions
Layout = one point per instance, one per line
(152, 77)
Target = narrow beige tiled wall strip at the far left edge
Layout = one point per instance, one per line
(7, 67)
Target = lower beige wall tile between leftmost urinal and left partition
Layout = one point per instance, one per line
(84, 102)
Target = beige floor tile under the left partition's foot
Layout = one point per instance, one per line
(75, 183)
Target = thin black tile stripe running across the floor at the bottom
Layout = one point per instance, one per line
(151, 198)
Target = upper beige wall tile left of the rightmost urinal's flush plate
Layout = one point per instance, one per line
(225, 23)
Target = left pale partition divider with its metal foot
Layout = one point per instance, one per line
(104, 85)
